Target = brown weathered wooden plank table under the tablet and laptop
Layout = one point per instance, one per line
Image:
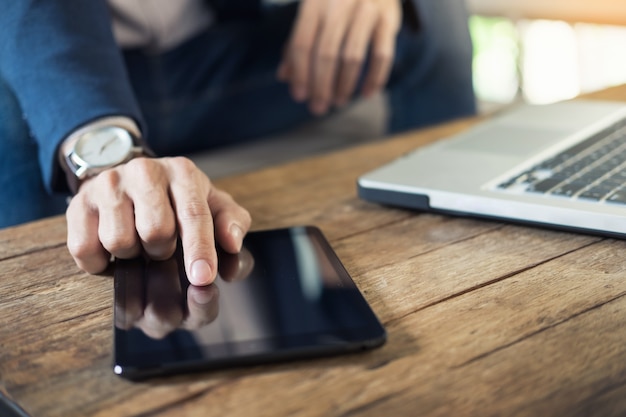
(484, 318)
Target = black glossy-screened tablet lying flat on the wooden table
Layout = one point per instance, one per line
(285, 296)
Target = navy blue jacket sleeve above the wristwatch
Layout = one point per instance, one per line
(62, 61)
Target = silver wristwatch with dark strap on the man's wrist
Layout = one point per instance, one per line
(98, 146)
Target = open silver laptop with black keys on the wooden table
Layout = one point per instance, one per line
(560, 165)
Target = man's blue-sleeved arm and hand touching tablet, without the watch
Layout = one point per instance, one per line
(61, 59)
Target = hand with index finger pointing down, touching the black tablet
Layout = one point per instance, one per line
(143, 205)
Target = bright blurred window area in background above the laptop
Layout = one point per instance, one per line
(542, 51)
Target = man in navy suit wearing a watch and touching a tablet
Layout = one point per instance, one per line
(81, 104)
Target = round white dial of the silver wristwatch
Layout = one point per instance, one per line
(104, 147)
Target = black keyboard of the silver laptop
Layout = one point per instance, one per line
(593, 170)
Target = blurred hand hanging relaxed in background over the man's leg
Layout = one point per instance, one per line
(328, 46)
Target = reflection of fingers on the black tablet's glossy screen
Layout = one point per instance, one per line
(159, 299)
